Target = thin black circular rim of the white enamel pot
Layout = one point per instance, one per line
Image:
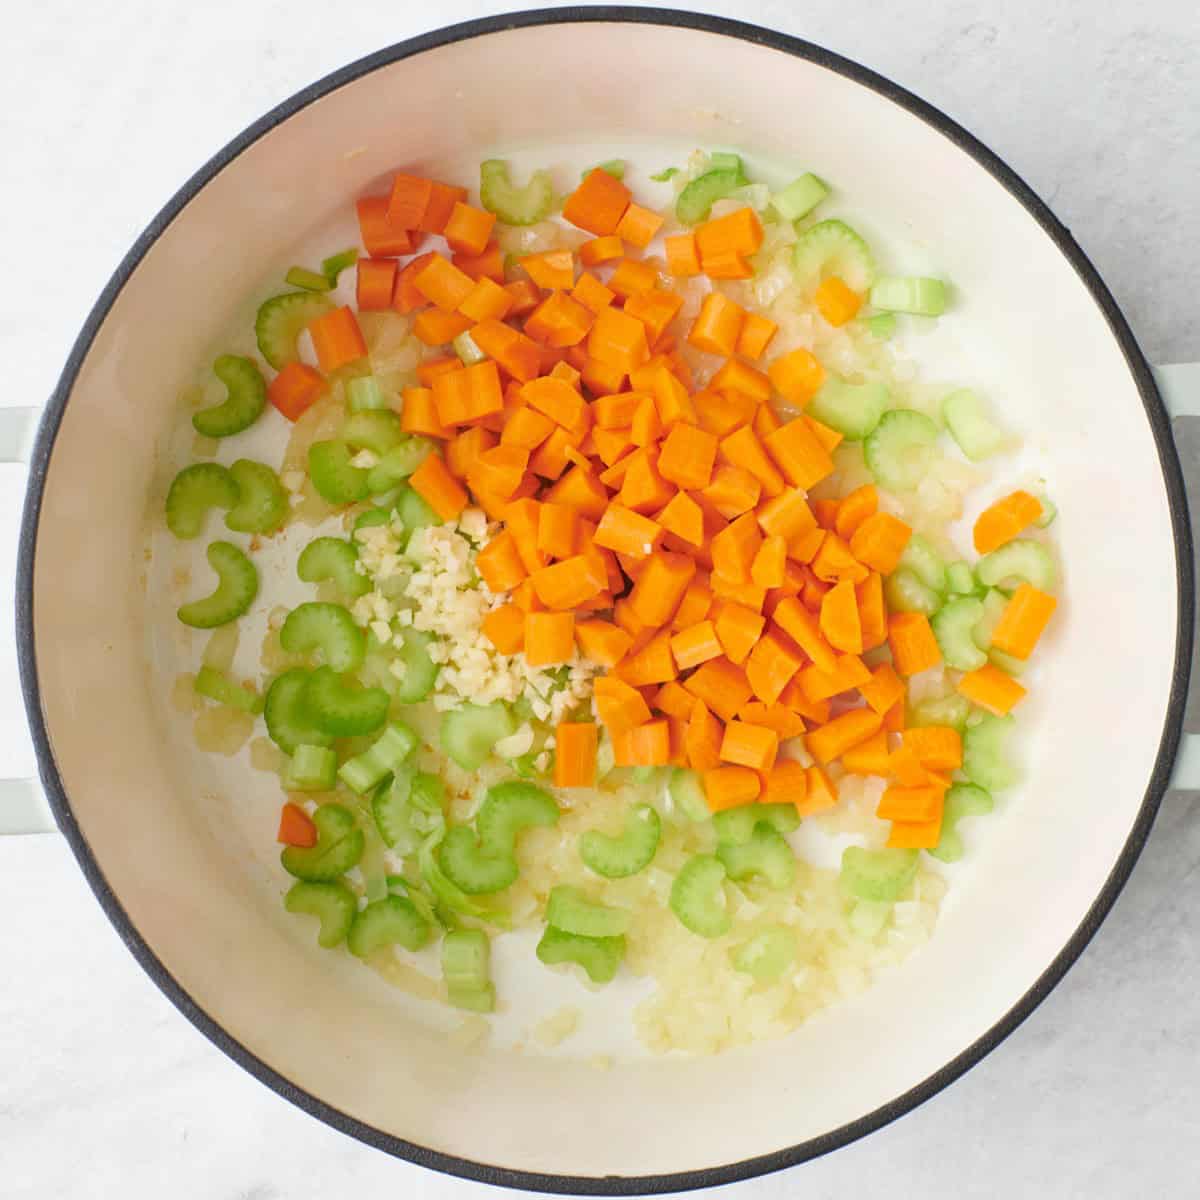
(483, 1173)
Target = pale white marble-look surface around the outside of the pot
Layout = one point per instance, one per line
(105, 1089)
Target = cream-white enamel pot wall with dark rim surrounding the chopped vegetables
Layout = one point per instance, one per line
(183, 863)
